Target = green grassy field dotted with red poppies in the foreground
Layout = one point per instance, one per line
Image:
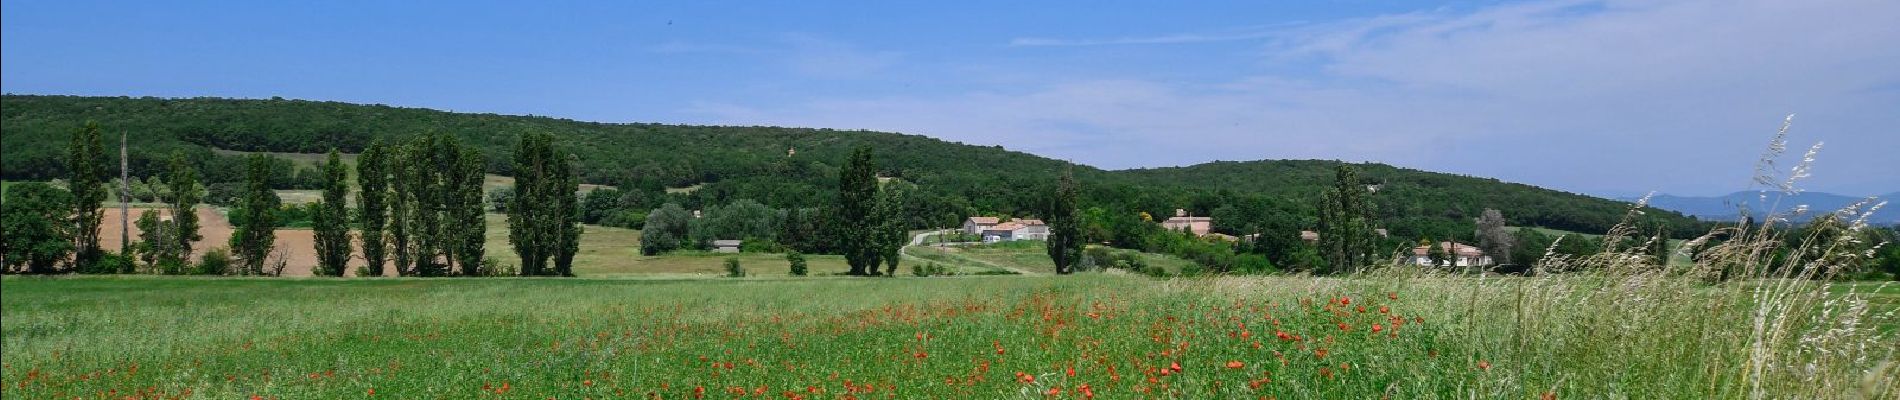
(909, 338)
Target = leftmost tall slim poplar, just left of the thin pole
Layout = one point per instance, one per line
(86, 162)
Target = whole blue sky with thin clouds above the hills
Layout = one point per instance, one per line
(1599, 98)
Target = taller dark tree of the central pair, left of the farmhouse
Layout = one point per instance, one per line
(858, 194)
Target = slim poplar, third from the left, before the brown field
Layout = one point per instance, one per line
(254, 238)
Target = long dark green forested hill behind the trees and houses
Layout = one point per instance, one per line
(782, 166)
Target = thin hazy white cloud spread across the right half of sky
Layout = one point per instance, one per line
(1589, 96)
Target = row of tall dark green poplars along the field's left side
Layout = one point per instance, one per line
(421, 213)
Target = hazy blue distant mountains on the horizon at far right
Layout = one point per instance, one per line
(1730, 208)
